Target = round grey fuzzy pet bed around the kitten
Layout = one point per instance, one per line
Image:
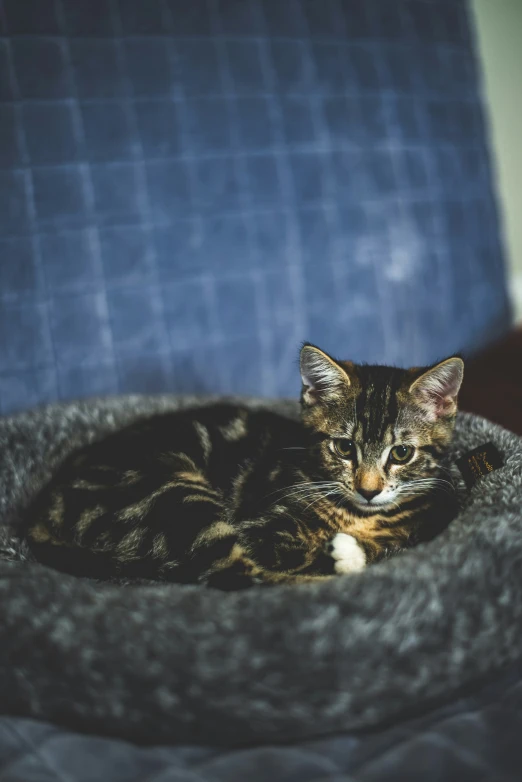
(174, 663)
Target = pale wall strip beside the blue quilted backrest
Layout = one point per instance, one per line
(499, 31)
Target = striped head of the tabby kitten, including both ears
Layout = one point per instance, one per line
(381, 431)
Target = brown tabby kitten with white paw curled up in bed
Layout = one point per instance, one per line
(230, 496)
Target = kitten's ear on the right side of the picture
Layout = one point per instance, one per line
(436, 390)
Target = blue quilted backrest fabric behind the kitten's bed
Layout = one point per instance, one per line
(189, 189)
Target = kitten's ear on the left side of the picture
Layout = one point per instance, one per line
(323, 379)
